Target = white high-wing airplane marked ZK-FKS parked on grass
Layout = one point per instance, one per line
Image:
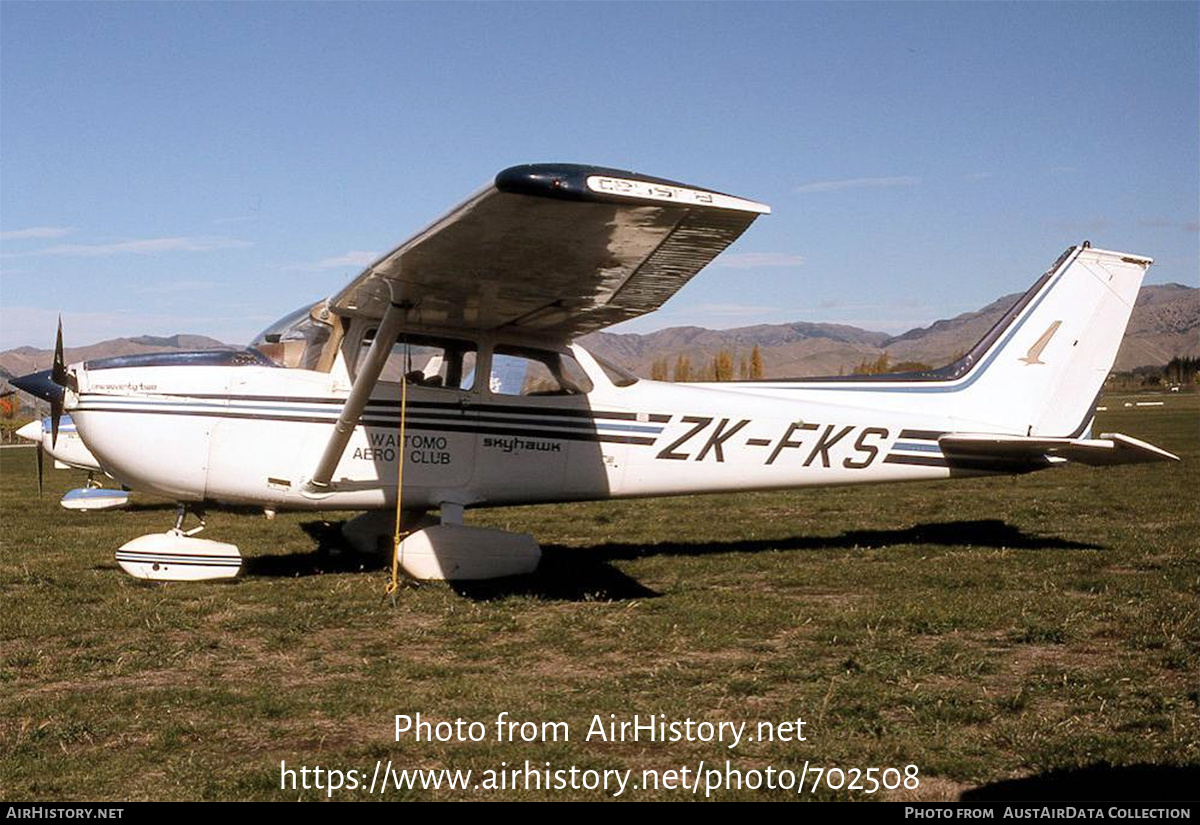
(445, 378)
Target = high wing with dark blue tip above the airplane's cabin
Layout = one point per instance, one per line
(554, 250)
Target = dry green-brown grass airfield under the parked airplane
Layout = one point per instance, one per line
(1022, 637)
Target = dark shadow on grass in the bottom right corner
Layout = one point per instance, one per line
(1111, 784)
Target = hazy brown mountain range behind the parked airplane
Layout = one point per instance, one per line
(1166, 324)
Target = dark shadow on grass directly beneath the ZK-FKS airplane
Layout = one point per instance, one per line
(585, 574)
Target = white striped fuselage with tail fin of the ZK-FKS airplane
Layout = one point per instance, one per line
(551, 424)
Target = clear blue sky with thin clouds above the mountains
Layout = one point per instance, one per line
(207, 167)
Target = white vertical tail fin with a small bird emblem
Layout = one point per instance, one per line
(1040, 371)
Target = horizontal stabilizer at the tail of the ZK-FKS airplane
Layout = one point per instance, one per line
(1109, 449)
